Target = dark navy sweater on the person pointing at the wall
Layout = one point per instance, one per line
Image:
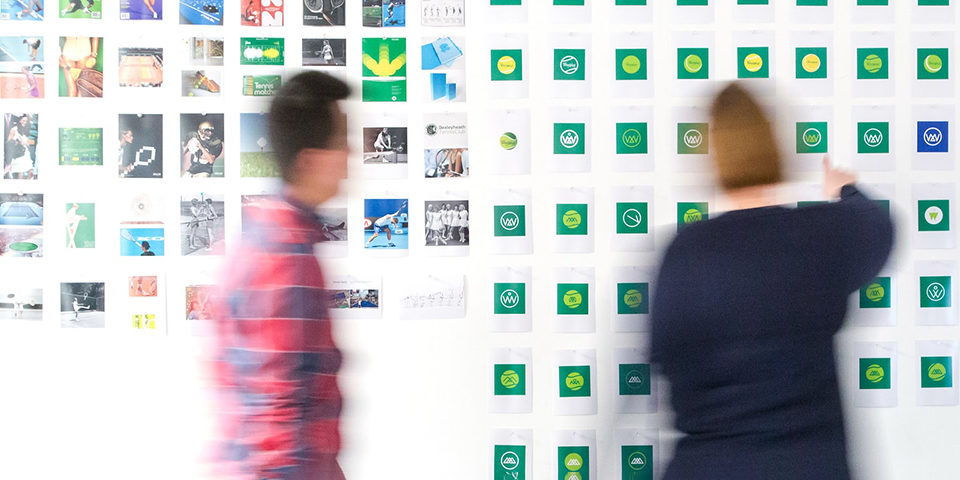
(744, 314)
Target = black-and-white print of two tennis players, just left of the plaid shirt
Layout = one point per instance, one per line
(201, 224)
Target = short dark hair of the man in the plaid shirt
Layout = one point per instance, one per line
(302, 116)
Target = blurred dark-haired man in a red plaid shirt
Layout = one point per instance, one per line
(276, 362)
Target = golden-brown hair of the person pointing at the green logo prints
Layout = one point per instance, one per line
(744, 149)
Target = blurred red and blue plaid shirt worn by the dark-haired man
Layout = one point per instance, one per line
(276, 362)
